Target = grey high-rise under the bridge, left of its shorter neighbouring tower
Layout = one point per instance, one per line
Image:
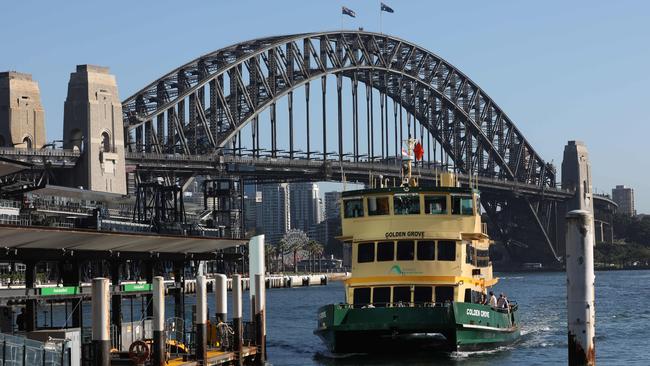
(274, 212)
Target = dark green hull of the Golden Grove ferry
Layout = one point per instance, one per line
(449, 328)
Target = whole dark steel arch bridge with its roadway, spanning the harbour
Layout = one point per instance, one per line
(325, 106)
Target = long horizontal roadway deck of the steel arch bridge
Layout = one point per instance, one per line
(271, 169)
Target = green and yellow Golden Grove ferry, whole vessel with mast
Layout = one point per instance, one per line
(420, 272)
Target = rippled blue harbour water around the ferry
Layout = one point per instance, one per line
(622, 324)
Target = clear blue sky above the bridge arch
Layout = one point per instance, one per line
(562, 70)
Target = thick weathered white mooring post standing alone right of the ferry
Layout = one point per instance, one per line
(581, 316)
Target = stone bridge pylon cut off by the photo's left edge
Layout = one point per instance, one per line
(22, 119)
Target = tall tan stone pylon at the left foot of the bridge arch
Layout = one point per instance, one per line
(93, 125)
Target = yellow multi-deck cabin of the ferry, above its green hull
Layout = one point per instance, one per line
(414, 246)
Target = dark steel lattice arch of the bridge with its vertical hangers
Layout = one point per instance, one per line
(201, 107)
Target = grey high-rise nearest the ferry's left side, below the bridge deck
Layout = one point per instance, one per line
(305, 206)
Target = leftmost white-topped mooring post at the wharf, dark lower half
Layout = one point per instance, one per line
(101, 338)
